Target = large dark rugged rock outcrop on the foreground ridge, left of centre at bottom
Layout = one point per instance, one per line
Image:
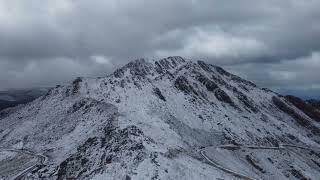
(93, 155)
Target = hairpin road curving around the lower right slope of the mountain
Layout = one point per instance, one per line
(237, 147)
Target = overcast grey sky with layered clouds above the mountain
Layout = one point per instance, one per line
(274, 43)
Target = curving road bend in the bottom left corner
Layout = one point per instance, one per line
(41, 159)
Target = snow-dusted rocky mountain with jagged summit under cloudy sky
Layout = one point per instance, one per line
(150, 120)
